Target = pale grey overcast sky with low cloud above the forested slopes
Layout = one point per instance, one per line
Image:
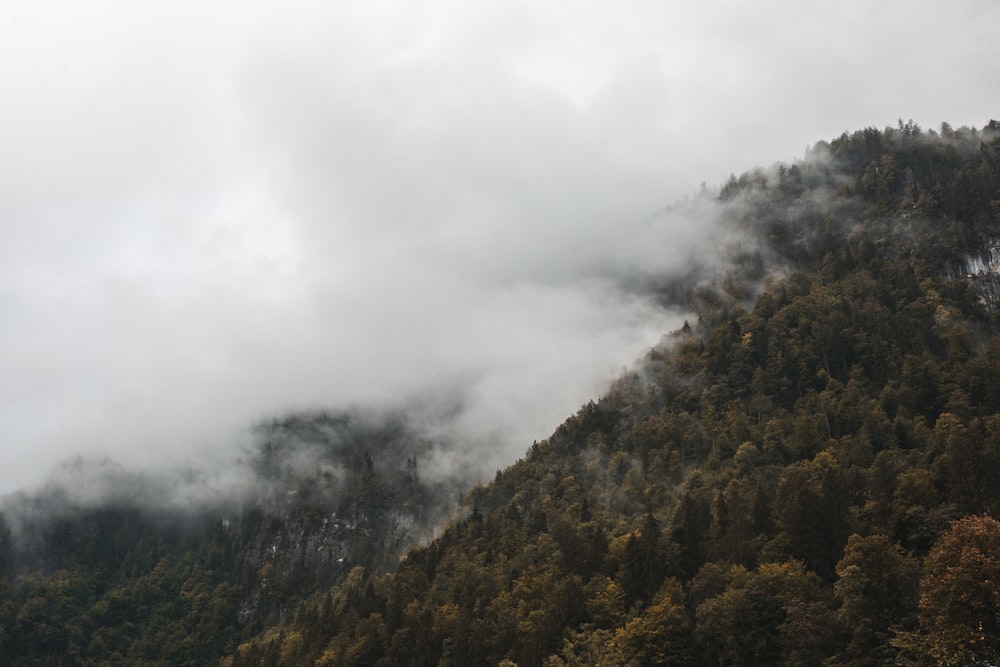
(215, 212)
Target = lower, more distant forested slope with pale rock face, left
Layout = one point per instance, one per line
(104, 566)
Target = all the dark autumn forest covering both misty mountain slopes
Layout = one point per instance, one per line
(805, 473)
